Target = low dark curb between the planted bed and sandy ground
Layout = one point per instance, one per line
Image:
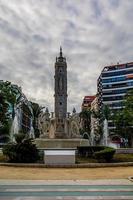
(86, 165)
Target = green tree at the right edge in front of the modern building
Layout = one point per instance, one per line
(123, 119)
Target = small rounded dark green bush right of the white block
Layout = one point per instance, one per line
(105, 155)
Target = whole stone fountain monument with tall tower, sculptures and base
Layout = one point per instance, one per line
(61, 130)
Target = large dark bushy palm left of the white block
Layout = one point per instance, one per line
(23, 151)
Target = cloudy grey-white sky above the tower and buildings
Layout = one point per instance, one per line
(92, 33)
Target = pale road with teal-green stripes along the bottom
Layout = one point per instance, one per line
(66, 190)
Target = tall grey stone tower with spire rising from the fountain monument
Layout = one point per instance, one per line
(60, 95)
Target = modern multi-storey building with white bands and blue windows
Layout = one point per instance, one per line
(112, 85)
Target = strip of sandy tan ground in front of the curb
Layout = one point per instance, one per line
(29, 173)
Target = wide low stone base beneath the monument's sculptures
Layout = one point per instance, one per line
(61, 143)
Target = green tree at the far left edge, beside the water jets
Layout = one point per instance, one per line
(7, 97)
